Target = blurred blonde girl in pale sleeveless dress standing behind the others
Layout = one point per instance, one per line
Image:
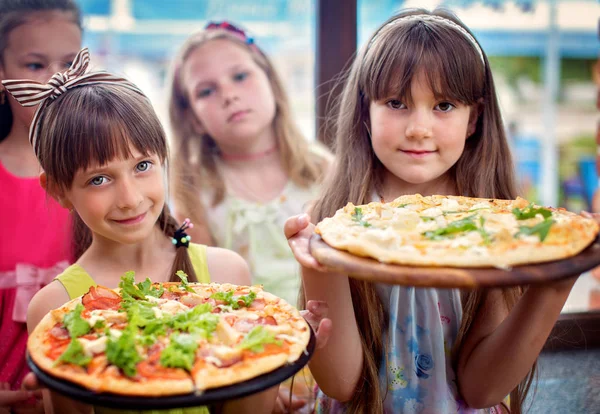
(242, 166)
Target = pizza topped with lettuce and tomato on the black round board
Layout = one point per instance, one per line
(159, 339)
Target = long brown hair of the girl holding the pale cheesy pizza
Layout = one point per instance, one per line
(384, 68)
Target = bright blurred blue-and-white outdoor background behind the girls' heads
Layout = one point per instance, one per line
(543, 55)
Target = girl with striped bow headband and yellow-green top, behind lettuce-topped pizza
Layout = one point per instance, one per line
(104, 155)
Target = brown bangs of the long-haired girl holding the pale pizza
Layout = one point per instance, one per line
(452, 67)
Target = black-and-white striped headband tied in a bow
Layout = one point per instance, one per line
(31, 93)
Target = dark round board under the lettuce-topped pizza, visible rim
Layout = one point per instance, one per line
(210, 396)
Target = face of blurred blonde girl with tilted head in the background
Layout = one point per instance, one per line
(229, 94)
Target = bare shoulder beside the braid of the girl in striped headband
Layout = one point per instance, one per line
(226, 266)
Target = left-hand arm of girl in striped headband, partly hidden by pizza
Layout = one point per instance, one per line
(50, 297)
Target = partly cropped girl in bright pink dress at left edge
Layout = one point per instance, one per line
(37, 39)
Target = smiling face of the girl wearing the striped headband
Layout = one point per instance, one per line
(120, 201)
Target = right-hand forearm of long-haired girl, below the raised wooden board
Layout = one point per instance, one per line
(501, 347)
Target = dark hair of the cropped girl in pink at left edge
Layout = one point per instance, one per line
(14, 13)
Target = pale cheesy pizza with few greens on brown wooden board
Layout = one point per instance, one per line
(451, 231)
